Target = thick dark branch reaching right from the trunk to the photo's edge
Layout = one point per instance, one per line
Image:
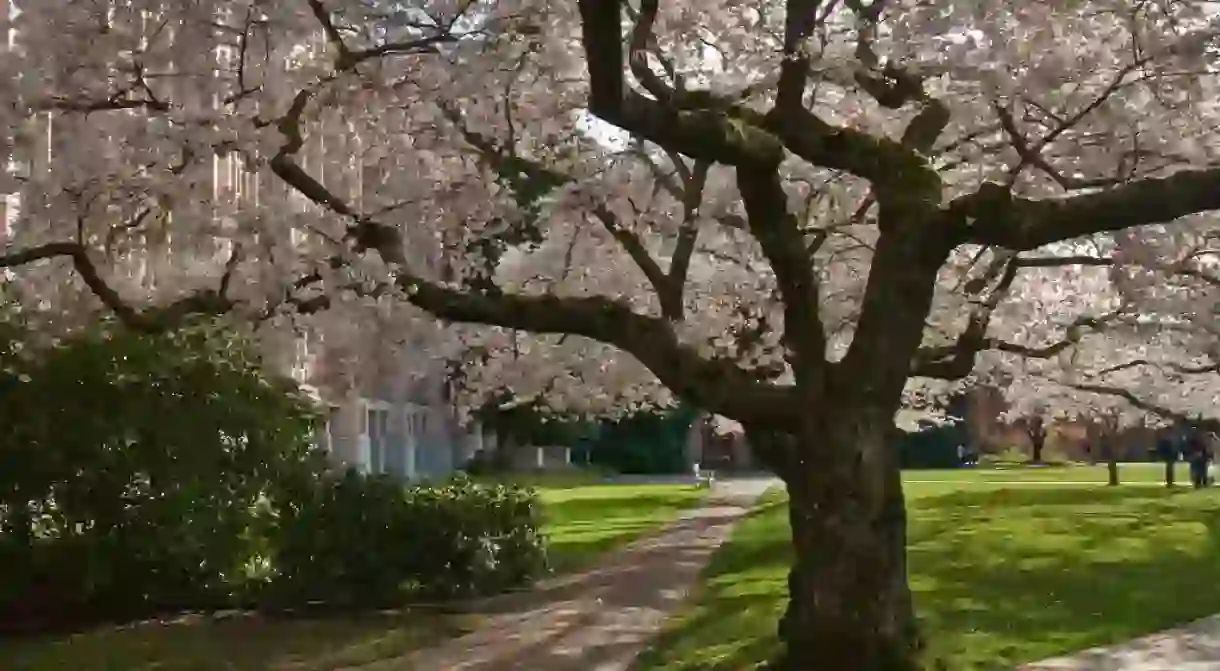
(994, 217)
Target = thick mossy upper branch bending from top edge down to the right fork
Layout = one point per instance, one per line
(722, 130)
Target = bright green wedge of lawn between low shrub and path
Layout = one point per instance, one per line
(584, 523)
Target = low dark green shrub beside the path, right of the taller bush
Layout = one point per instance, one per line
(362, 541)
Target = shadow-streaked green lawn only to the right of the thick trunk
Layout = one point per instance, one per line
(1041, 574)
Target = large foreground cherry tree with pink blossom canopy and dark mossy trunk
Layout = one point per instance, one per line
(794, 215)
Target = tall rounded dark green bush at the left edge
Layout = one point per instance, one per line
(136, 472)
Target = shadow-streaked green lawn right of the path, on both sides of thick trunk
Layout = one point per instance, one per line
(1002, 574)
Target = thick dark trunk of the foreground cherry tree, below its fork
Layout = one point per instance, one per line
(850, 603)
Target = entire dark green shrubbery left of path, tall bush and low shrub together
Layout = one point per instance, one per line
(146, 474)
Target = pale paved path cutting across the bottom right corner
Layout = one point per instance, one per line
(1195, 647)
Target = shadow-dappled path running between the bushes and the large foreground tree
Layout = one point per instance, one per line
(602, 619)
